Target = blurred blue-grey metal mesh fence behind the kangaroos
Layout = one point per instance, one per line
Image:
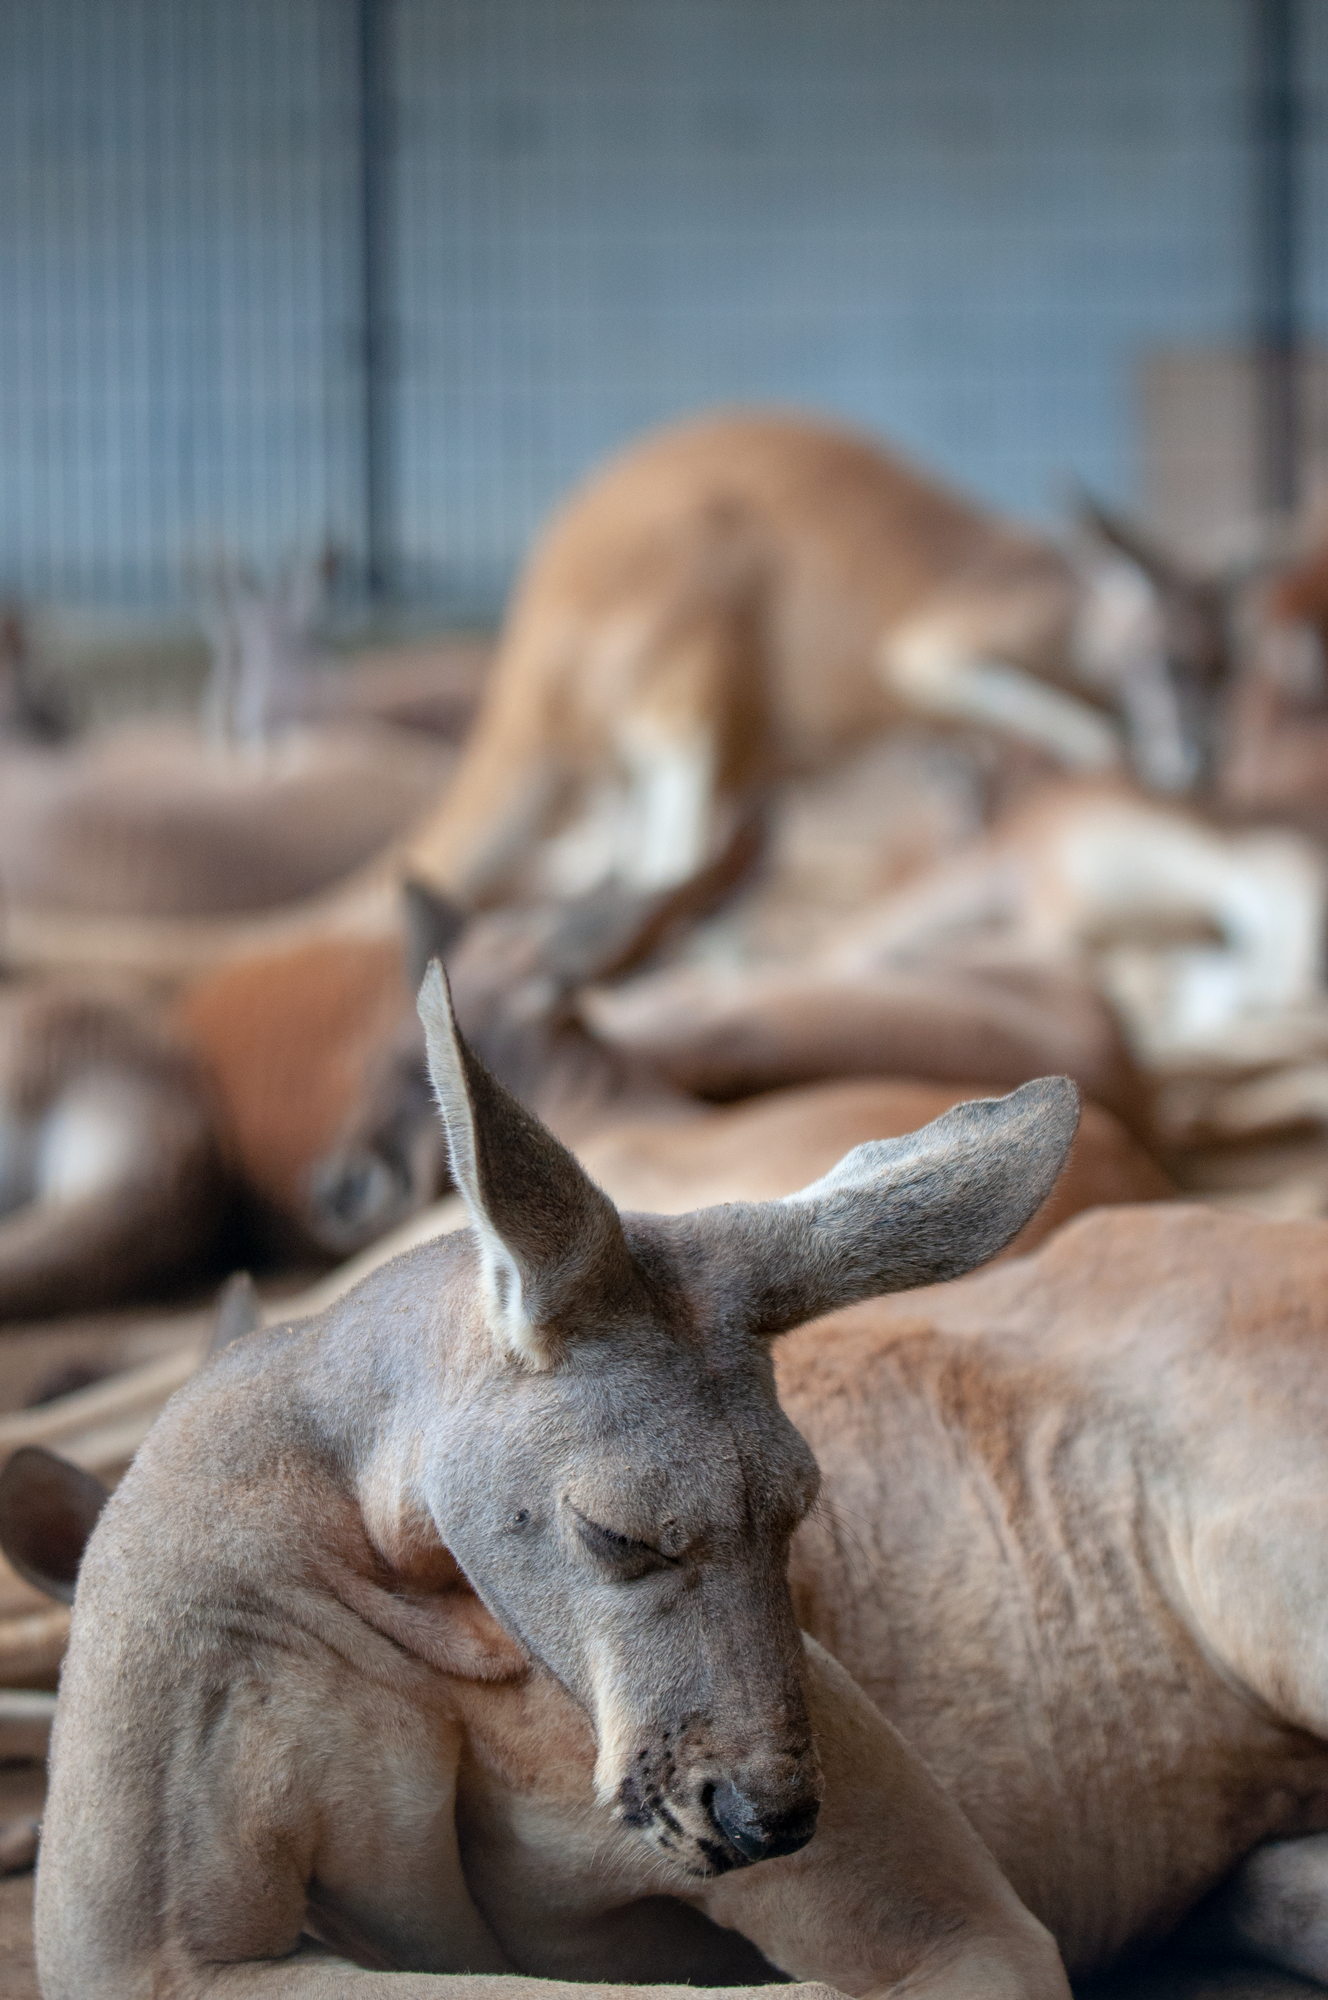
(393, 273)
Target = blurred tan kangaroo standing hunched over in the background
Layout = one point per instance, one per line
(751, 595)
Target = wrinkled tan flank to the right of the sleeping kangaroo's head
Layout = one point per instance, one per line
(1073, 1543)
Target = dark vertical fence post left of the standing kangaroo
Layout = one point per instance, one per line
(377, 139)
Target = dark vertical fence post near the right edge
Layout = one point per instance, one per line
(1277, 249)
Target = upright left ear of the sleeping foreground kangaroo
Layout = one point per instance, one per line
(551, 1243)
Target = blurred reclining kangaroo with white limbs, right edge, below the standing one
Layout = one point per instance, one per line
(1203, 937)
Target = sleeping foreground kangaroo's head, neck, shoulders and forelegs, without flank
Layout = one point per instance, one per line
(489, 1563)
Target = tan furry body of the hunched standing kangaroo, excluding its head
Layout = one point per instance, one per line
(753, 593)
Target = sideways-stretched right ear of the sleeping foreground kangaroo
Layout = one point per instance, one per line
(893, 1215)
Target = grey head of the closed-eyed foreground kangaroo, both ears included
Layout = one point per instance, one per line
(613, 1469)
